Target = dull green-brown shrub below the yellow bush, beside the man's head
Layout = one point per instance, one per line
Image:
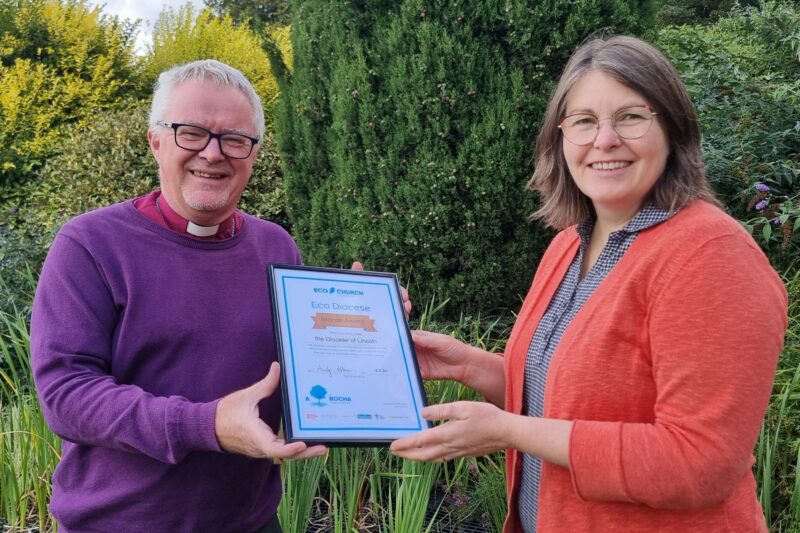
(98, 164)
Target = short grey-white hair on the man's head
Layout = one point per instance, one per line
(204, 70)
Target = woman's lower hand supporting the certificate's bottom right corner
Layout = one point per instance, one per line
(472, 429)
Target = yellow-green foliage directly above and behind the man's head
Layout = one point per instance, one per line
(182, 36)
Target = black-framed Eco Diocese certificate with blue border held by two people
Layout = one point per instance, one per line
(349, 374)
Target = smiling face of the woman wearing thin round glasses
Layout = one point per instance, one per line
(615, 173)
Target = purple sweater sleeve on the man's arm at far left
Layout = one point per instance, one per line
(72, 329)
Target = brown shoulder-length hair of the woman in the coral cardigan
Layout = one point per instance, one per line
(640, 66)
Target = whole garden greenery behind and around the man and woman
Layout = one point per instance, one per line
(400, 134)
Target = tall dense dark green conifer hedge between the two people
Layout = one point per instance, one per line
(406, 130)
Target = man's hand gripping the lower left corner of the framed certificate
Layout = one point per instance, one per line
(240, 430)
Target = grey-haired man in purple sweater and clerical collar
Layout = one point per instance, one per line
(151, 324)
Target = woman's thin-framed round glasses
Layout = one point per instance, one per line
(628, 122)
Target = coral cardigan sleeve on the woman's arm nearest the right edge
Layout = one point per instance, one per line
(715, 332)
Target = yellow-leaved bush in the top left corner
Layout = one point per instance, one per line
(62, 61)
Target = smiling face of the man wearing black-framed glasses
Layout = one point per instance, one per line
(204, 186)
